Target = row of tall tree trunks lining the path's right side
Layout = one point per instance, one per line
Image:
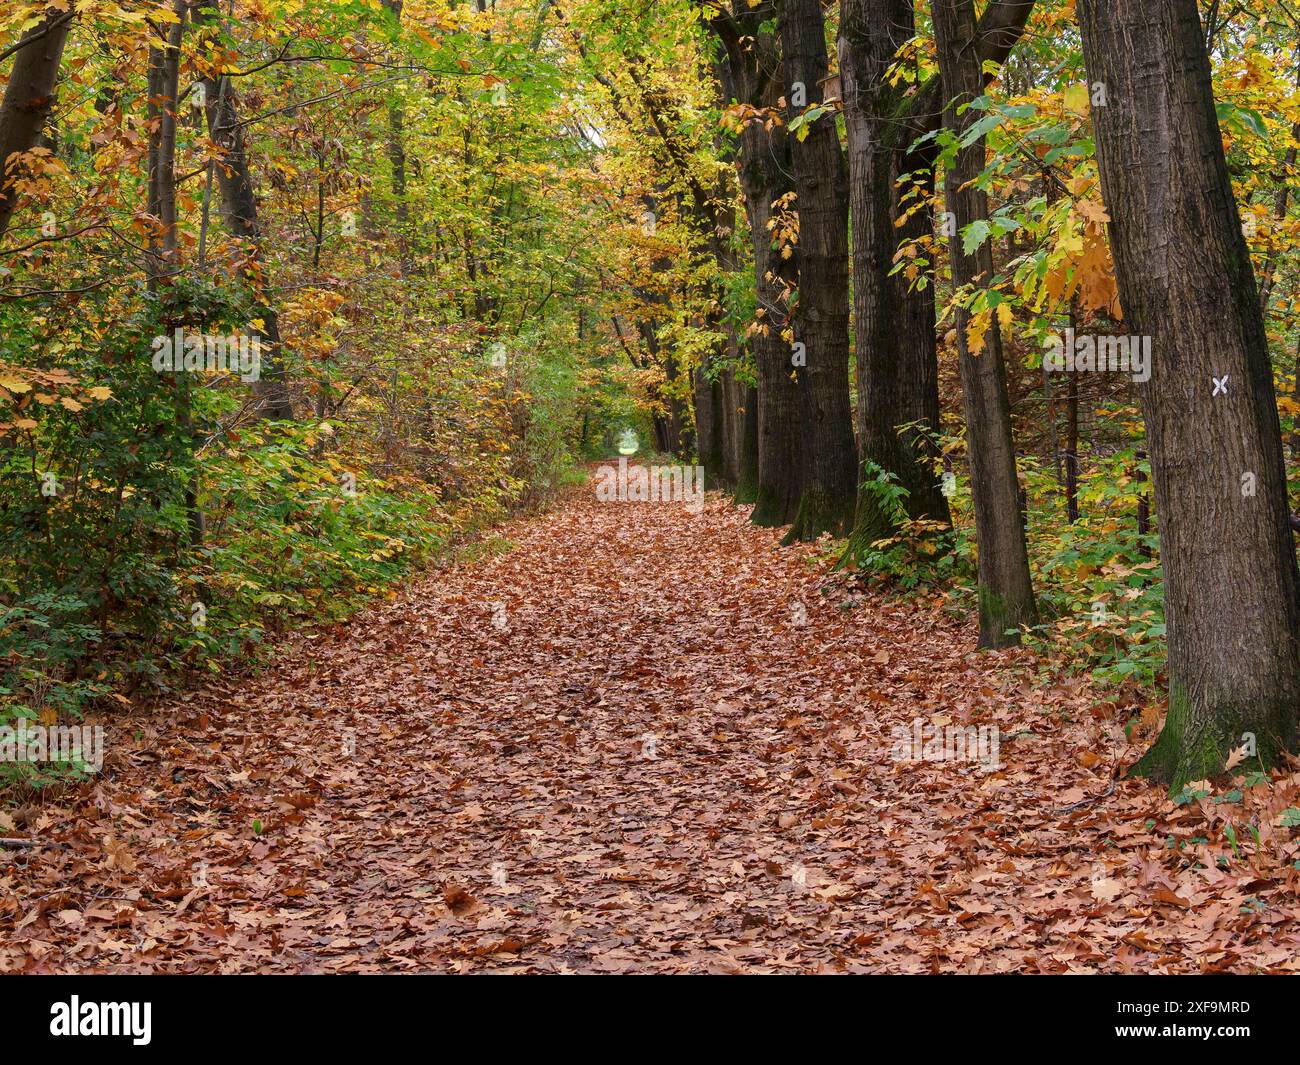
(1185, 279)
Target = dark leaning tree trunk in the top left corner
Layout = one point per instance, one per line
(29, 99)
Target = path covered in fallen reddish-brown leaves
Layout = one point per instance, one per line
(642, 741)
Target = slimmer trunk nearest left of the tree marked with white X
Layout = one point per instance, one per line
(1006, 592)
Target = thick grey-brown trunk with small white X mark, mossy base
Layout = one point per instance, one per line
(1232, 588)
